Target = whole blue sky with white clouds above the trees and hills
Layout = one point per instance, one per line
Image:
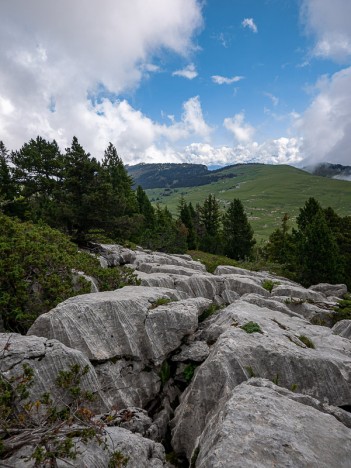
(214, 82)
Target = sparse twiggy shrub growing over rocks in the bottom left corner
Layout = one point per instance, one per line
(49, 425)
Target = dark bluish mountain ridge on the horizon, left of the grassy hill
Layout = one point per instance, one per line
(170, 175)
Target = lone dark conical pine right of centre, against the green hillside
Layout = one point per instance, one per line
(237, 232)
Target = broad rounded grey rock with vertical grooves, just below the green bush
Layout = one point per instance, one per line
(104, 325)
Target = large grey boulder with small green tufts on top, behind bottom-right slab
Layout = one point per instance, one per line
(277, 353)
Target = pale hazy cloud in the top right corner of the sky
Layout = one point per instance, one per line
(330, 22)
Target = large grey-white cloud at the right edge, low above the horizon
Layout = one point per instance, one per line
(326, 124)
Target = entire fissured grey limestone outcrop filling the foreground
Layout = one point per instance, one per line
(154, 357)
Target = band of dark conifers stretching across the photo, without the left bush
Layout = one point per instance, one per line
(88, 199)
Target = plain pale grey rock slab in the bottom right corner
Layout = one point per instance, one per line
(259, 427)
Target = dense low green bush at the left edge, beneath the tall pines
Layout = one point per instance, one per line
(36, 264)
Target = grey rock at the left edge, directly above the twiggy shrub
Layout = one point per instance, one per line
(47, 358)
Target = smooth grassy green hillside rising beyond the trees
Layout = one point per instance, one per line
(266, 191)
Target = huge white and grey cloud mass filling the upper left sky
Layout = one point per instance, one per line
(56, 56)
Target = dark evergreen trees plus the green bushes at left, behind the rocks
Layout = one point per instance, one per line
(69, 199)
